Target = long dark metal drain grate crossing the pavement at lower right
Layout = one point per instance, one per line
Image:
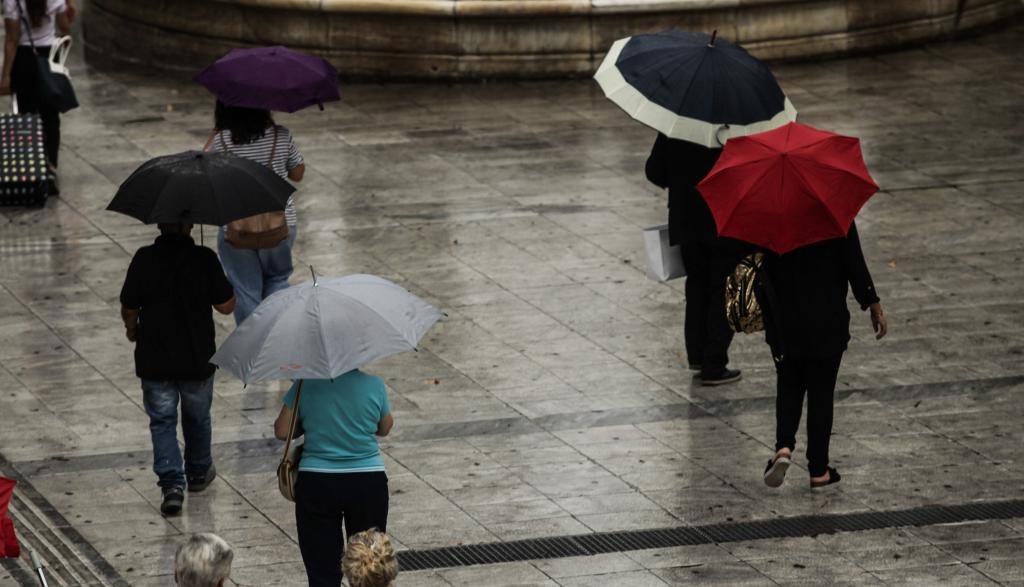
(600, 543)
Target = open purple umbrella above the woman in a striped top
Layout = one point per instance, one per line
(272, 78)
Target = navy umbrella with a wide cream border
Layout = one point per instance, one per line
(694, 87)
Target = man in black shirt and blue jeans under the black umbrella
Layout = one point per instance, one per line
(165, 305)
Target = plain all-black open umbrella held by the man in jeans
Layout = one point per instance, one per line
(200, 188)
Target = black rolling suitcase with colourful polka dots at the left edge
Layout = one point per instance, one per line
(23, 160)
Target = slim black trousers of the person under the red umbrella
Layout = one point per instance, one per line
(815, 378)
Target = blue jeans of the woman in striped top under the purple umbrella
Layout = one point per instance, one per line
(255, 274)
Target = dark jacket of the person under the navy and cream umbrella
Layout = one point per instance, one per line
(680, 165)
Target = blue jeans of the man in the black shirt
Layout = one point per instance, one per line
(161, 401)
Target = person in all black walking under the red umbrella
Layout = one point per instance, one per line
(808, 328)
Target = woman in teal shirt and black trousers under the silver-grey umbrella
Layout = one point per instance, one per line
(342, 473)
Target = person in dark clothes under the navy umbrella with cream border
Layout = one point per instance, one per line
(679, 166)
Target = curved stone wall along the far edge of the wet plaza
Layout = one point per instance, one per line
(452, 39)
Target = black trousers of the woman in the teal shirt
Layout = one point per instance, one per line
(323, 504)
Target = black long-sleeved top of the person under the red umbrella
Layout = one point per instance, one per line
(810, 287)
